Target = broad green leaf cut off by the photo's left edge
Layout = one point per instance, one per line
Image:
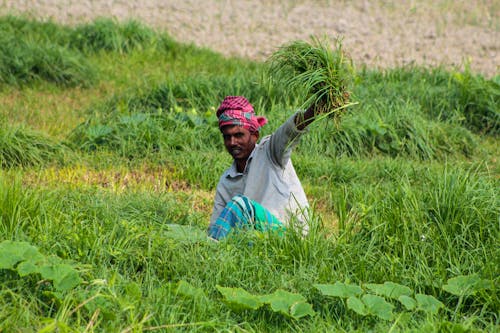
(12, 252)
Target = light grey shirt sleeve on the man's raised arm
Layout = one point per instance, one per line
(283, 140)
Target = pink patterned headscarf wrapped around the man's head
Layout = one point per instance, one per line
(236, 110)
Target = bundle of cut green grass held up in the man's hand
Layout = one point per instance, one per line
(320, 73)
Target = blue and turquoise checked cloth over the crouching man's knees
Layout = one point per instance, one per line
(244, 214)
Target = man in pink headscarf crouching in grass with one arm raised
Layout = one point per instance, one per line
(261, 189)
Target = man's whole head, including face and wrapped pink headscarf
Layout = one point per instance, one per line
(239, 126)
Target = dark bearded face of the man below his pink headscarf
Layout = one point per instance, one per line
(239, 141)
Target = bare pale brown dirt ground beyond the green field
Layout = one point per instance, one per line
(377, 33)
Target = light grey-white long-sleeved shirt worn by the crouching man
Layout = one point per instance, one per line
(269, 177)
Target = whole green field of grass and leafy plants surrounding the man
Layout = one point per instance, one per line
(104, 202)
